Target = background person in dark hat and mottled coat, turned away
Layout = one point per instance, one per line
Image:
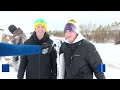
(18, 38)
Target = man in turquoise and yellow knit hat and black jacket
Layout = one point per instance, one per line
(39, 66)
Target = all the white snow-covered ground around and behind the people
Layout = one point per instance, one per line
(108, 52)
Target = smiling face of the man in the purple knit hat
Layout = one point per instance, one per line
(70, 35)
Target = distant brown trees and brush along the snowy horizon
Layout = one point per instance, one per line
(100, 34)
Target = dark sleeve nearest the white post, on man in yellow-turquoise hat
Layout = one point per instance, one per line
(53, 54)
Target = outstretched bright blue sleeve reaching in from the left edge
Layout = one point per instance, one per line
(18, 50)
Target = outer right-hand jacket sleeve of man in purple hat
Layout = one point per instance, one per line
(94, 60)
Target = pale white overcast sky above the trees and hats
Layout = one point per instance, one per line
(56, 20)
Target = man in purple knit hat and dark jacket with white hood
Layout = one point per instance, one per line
(81, 56)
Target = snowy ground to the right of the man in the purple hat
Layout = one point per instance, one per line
(110, 55)
